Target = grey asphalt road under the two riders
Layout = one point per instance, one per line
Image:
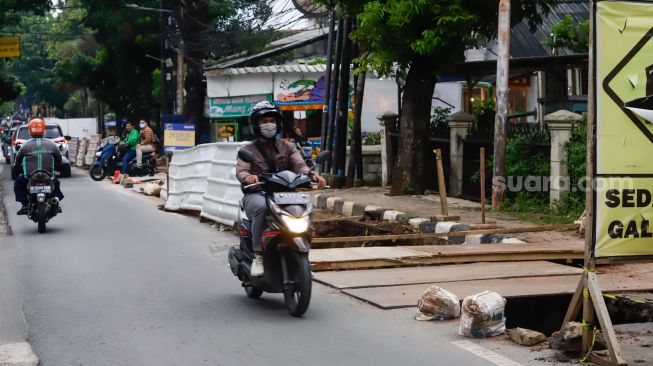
(115, 281)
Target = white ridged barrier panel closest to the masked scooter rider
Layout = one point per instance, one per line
(221, 200)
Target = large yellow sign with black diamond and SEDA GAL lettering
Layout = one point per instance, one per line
(623, 192)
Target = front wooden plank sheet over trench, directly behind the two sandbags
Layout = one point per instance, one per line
(614, 279)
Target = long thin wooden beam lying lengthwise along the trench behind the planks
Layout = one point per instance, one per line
(530, 229)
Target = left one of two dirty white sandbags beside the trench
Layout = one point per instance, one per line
(437, 304)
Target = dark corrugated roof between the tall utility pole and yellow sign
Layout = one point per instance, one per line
(523, 43)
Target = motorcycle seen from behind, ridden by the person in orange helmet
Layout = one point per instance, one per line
(43, 206)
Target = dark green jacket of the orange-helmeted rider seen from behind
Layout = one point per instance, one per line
(37, 154)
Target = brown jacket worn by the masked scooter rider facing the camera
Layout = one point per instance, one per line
(287, 158)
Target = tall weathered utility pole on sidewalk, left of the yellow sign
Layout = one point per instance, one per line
(503, 59)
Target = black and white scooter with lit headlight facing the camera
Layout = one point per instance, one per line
(286, 240)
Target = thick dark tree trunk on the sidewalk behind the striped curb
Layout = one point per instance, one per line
(408, 175)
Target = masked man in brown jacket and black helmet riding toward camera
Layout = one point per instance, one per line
(272, 155)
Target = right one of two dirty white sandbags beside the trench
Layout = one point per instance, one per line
(483, 315)
